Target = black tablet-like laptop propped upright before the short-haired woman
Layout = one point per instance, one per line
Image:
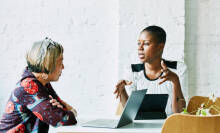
(153, 107)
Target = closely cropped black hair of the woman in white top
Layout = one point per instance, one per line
(158, 33)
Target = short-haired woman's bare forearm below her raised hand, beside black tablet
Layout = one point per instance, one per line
(178, 101)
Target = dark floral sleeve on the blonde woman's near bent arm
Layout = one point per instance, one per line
(38, 102)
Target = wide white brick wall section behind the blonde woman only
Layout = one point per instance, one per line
(88, 32)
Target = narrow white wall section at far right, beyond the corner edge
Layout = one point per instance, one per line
(202, 46)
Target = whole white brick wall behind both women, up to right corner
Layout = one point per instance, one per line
(92, 32)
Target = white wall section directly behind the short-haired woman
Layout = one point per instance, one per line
(135, 15)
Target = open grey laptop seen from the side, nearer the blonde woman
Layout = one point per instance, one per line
(128, 114)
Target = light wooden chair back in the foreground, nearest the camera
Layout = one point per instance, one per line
(180, 123)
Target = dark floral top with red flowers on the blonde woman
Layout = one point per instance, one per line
(29, 108)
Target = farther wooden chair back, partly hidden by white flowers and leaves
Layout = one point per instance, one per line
(196, 101)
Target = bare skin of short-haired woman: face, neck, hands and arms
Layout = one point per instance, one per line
(150, 53)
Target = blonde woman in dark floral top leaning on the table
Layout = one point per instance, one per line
(33, 104)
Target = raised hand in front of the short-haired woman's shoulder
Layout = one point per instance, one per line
(168, 75)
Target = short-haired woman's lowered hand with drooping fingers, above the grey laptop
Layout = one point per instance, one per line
(120, 87)
